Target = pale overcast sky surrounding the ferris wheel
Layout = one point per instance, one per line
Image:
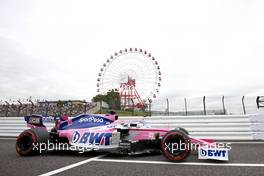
(54, 49)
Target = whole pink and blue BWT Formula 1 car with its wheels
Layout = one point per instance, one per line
(106, 133)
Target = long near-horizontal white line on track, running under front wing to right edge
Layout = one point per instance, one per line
(183, 163)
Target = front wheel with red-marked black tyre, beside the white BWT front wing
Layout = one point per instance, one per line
(175, 145)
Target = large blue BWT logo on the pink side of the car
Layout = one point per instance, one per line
(92, 138)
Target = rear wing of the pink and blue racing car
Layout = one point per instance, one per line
(35, 121)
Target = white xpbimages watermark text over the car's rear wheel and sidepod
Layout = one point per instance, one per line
(49, 146)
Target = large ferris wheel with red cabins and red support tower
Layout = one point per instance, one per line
(133, 72)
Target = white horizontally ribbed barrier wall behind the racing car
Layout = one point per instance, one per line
(218, 127)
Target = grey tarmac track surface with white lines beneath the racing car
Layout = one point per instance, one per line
(246, 158)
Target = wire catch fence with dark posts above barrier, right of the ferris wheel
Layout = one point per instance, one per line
(207, 105)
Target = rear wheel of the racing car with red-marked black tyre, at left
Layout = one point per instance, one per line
(29, 141)
